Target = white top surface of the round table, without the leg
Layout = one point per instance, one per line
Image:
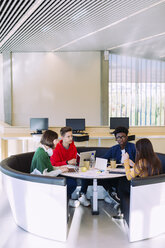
(95, 173)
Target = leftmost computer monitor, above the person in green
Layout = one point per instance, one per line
(38, 125)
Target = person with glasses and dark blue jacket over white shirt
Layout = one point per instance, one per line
(116, 152)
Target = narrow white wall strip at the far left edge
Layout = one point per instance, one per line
(1, 90)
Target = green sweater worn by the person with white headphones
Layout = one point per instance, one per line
(41, 161)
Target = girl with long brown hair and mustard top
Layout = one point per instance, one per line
(146, 164)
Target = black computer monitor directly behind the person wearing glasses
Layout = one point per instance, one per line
(119, 122)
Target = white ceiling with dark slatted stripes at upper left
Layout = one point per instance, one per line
(77, 25)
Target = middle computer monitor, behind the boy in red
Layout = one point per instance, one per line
(76, 124)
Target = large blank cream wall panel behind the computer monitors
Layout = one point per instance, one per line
(56, 85)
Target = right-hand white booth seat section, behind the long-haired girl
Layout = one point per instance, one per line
(147, 208)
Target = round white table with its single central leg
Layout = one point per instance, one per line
(95, 174)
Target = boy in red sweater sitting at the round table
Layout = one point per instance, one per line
(65, 154)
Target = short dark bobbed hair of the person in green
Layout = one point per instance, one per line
(48, 137)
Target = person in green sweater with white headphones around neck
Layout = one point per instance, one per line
(41, 163)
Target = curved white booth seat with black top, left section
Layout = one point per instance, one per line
(38, 203)
